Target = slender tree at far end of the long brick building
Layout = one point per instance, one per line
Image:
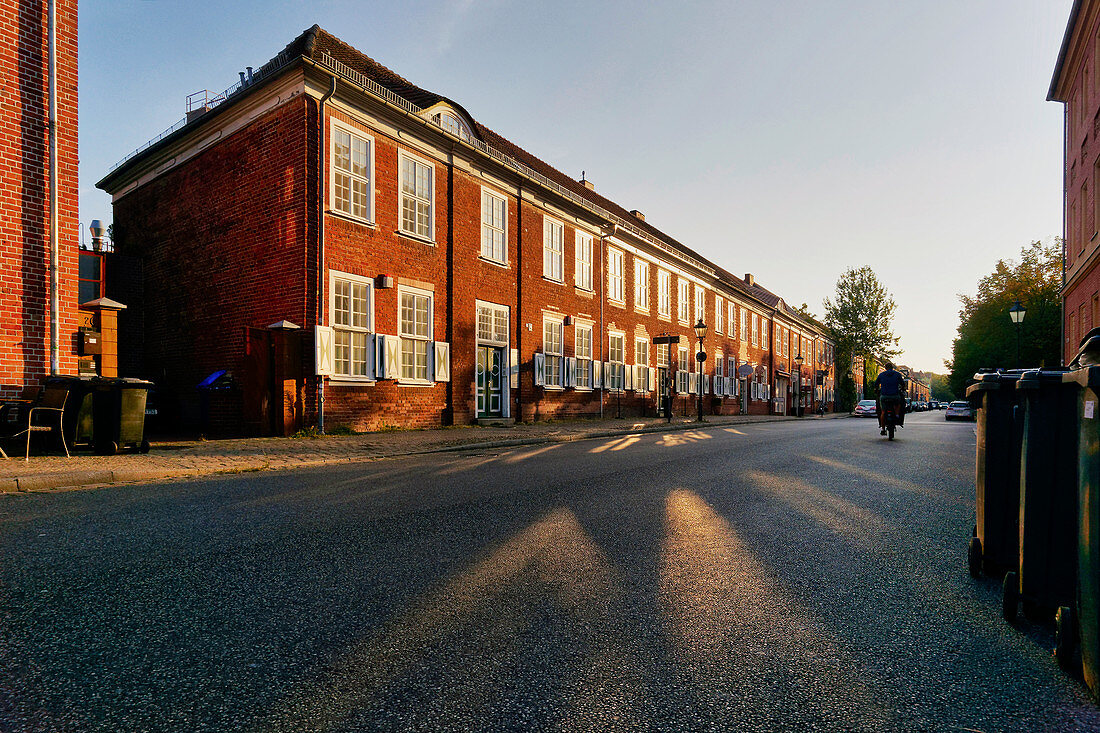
(860, 319)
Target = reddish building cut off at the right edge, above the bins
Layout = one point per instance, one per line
(1076, 84)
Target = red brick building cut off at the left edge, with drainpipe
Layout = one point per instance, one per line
(26, 188)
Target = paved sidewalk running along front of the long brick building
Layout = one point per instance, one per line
(195, 458)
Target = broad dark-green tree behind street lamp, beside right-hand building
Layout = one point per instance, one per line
(987, 337)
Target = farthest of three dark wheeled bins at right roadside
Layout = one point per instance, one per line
(996, 543)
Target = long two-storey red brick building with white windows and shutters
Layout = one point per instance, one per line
(354, 248)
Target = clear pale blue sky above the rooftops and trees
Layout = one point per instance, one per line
(790, 140)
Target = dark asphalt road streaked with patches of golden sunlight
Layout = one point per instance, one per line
(776, 577)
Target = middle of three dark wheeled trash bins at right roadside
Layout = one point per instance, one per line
(1046, 577)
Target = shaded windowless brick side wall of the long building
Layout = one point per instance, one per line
(223, 239)
